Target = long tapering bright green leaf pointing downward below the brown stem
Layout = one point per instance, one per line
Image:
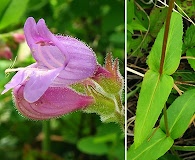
(154, 93)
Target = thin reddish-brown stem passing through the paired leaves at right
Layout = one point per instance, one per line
(164, 46)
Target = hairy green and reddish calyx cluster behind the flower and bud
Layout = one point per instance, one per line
(107, 92)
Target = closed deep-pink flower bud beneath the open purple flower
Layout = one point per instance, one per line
(53, 103)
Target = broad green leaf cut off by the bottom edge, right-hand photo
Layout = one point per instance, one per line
(151, 149)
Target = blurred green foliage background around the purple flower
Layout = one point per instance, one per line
(76, 136)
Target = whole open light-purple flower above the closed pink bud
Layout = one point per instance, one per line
(60, 61)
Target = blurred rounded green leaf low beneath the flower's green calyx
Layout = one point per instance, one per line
(89, 145)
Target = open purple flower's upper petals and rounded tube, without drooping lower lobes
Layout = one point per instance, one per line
(52, 51)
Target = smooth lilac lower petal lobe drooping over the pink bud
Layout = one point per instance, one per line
(39, 83)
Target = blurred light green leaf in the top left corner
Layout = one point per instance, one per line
(13, 13)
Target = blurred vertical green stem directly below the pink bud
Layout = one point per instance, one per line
(46, 135)
